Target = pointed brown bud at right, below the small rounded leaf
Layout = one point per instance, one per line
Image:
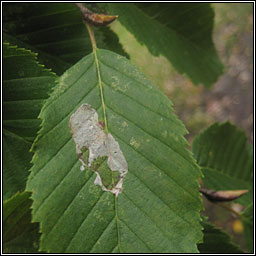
(222, 195)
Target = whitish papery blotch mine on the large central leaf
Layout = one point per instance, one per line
(105, 157)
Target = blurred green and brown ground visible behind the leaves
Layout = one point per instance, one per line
(230, 98)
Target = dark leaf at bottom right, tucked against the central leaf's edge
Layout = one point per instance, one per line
(216, 241)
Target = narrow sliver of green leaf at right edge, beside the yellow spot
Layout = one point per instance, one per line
(247, 218)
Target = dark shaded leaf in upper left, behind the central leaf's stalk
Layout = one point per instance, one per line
(56, 31)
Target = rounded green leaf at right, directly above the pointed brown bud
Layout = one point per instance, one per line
(226, 159)
